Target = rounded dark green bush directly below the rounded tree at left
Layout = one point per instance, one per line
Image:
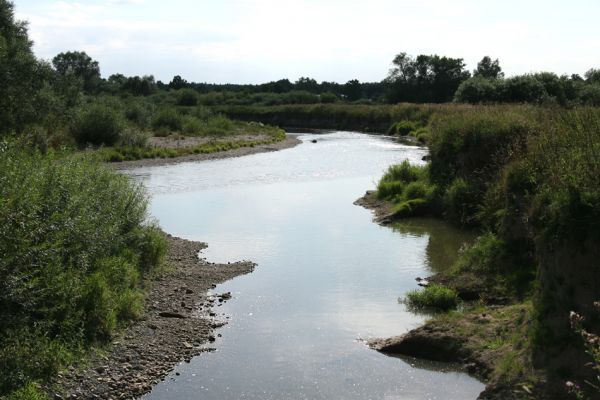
(99, 124)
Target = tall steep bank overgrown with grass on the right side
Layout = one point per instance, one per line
(528, 179)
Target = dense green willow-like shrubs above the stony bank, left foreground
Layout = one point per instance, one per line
(75, 245)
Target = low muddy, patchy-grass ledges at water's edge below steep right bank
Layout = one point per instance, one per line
(489, 339)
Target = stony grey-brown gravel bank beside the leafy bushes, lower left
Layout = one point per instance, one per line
(179, 322)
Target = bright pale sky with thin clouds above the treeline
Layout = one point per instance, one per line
(256, 41)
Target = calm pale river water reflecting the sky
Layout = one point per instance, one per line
(327, 276)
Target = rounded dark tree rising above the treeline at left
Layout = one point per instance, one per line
(78, 64)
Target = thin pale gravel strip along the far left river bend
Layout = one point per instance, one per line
(288, 142)
